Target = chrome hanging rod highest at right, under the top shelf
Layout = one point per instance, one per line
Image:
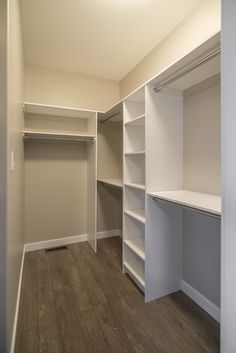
(197, 64)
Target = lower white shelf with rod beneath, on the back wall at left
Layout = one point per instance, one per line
(40, 135)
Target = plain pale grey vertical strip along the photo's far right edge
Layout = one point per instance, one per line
(228, 287)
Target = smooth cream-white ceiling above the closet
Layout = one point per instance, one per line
(102, 38)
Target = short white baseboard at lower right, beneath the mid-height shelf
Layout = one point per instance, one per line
(202, 301)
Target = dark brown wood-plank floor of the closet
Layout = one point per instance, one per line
(75, 301)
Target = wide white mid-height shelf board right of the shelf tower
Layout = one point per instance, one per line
(195, 200)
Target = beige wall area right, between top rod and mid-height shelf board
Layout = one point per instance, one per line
(202, 143)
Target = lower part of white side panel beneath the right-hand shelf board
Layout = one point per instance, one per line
(163, 249)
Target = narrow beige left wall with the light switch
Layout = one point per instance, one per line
(15, 236)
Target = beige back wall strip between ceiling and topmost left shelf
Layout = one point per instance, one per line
(55, 87)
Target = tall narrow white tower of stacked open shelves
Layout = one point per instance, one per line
(134, 188)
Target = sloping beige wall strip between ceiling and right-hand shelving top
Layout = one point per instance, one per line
(202, 24)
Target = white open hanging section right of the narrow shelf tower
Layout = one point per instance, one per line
(183, 203)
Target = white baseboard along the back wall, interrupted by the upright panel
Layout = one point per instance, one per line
(69, 240)
